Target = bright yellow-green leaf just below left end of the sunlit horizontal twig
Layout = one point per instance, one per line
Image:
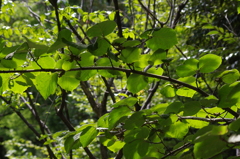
(177, 130)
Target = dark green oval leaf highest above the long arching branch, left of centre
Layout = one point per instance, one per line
(101, 29)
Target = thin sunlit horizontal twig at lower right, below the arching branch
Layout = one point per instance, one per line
(228, 120)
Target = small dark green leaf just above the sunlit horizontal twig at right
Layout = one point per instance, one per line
(191, 108)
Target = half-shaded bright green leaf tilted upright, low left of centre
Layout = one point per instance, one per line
(88, 135)
